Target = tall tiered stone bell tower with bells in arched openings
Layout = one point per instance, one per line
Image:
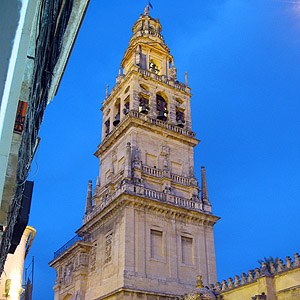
(147, 231)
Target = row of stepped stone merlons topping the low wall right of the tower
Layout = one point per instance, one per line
(265, 270)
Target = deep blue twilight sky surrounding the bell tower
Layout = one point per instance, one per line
(243, 61)
